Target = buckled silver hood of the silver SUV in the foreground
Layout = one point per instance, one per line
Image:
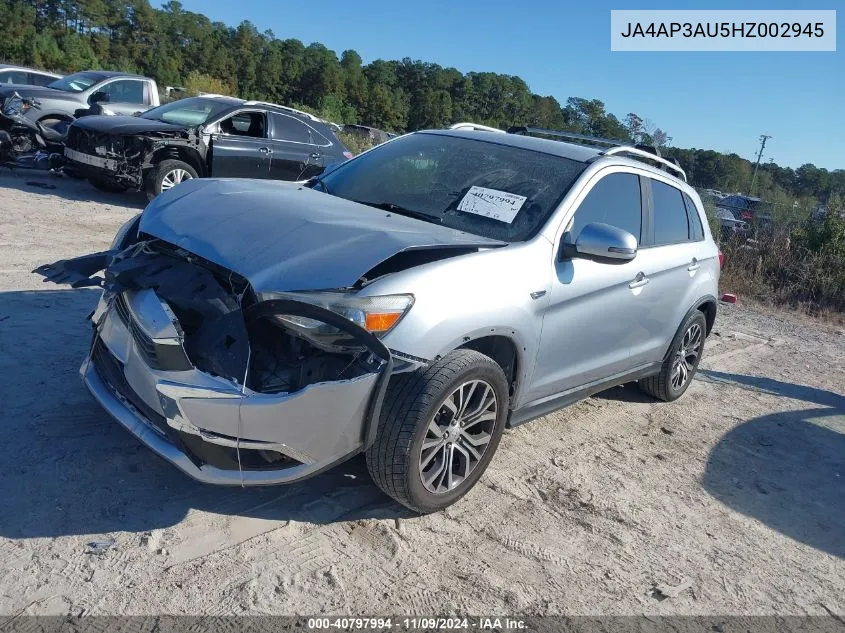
(281, 236)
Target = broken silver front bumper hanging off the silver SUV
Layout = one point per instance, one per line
(187, 416)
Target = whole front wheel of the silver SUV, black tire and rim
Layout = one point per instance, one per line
(438, 430)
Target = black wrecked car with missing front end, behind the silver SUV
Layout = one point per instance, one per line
(199, 137)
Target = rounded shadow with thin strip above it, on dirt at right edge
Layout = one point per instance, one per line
(785, 469)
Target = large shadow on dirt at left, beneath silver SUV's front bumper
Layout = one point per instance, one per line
(68, 469)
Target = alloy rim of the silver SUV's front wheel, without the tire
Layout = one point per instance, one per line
(457, 436)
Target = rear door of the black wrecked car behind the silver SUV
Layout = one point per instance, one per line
(297, 148)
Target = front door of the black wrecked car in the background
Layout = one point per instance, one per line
(240, 147)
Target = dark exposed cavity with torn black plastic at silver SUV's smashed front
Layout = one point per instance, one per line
(224, 331)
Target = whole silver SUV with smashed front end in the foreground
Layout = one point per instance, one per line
(411, 304)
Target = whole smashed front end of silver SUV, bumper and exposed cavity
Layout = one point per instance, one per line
(229, 386)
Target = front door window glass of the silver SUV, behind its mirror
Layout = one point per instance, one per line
(615, 200)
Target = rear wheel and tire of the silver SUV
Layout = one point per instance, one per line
(681, 362)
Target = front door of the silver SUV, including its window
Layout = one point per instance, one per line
(595, 311)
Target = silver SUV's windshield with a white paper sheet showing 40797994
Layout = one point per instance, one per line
(497, 191)
